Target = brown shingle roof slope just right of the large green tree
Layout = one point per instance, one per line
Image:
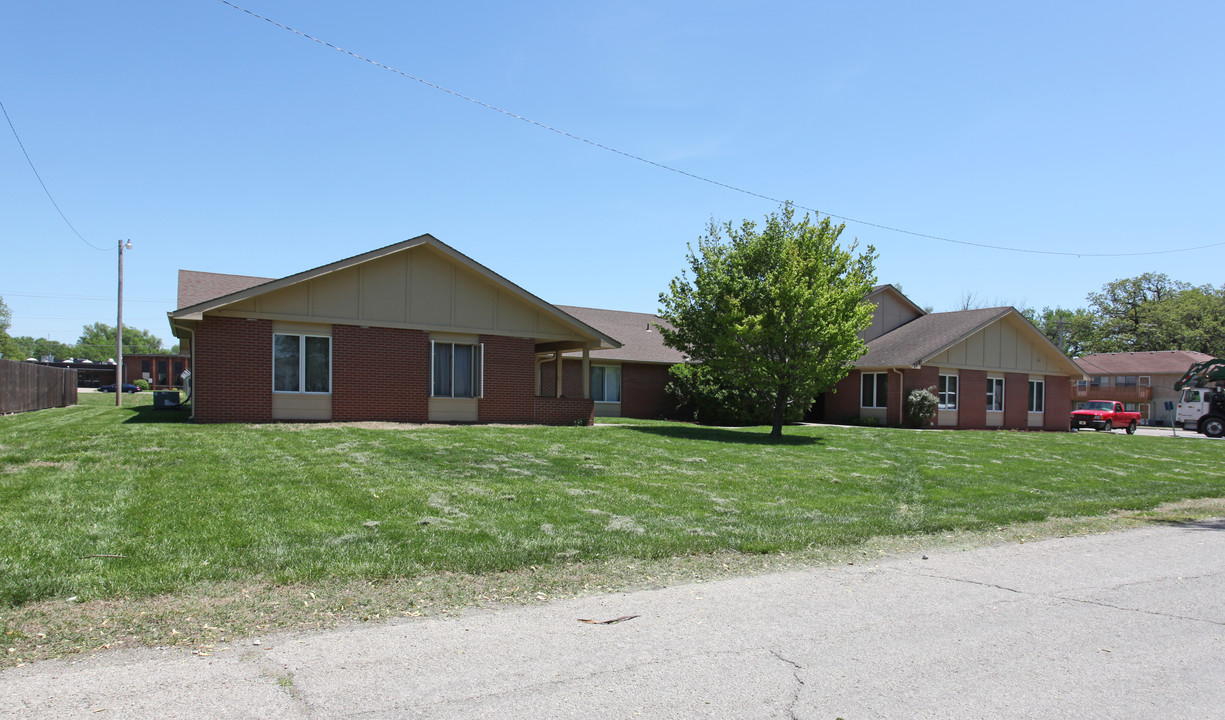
(927, 336)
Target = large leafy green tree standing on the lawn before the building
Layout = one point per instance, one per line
(772, 313)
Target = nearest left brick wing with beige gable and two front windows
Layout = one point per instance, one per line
(413, 332)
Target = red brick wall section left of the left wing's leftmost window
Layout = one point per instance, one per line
(233, 370)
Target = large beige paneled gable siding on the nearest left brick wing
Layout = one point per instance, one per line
(420, 288)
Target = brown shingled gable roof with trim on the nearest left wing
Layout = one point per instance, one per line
(239, 288)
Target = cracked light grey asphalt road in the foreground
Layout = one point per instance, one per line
(1124, 625)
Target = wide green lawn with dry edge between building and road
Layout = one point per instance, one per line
(144, 520)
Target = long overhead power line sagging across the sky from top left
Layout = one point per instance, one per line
(695, 177)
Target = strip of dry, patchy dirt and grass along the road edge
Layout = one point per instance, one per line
(209, 618)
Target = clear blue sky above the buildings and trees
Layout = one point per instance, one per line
(216, 141)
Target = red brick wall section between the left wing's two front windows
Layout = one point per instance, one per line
(380, 374)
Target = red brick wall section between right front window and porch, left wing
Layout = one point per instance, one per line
(510, 386)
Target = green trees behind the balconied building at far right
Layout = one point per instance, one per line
(1141, 314)
